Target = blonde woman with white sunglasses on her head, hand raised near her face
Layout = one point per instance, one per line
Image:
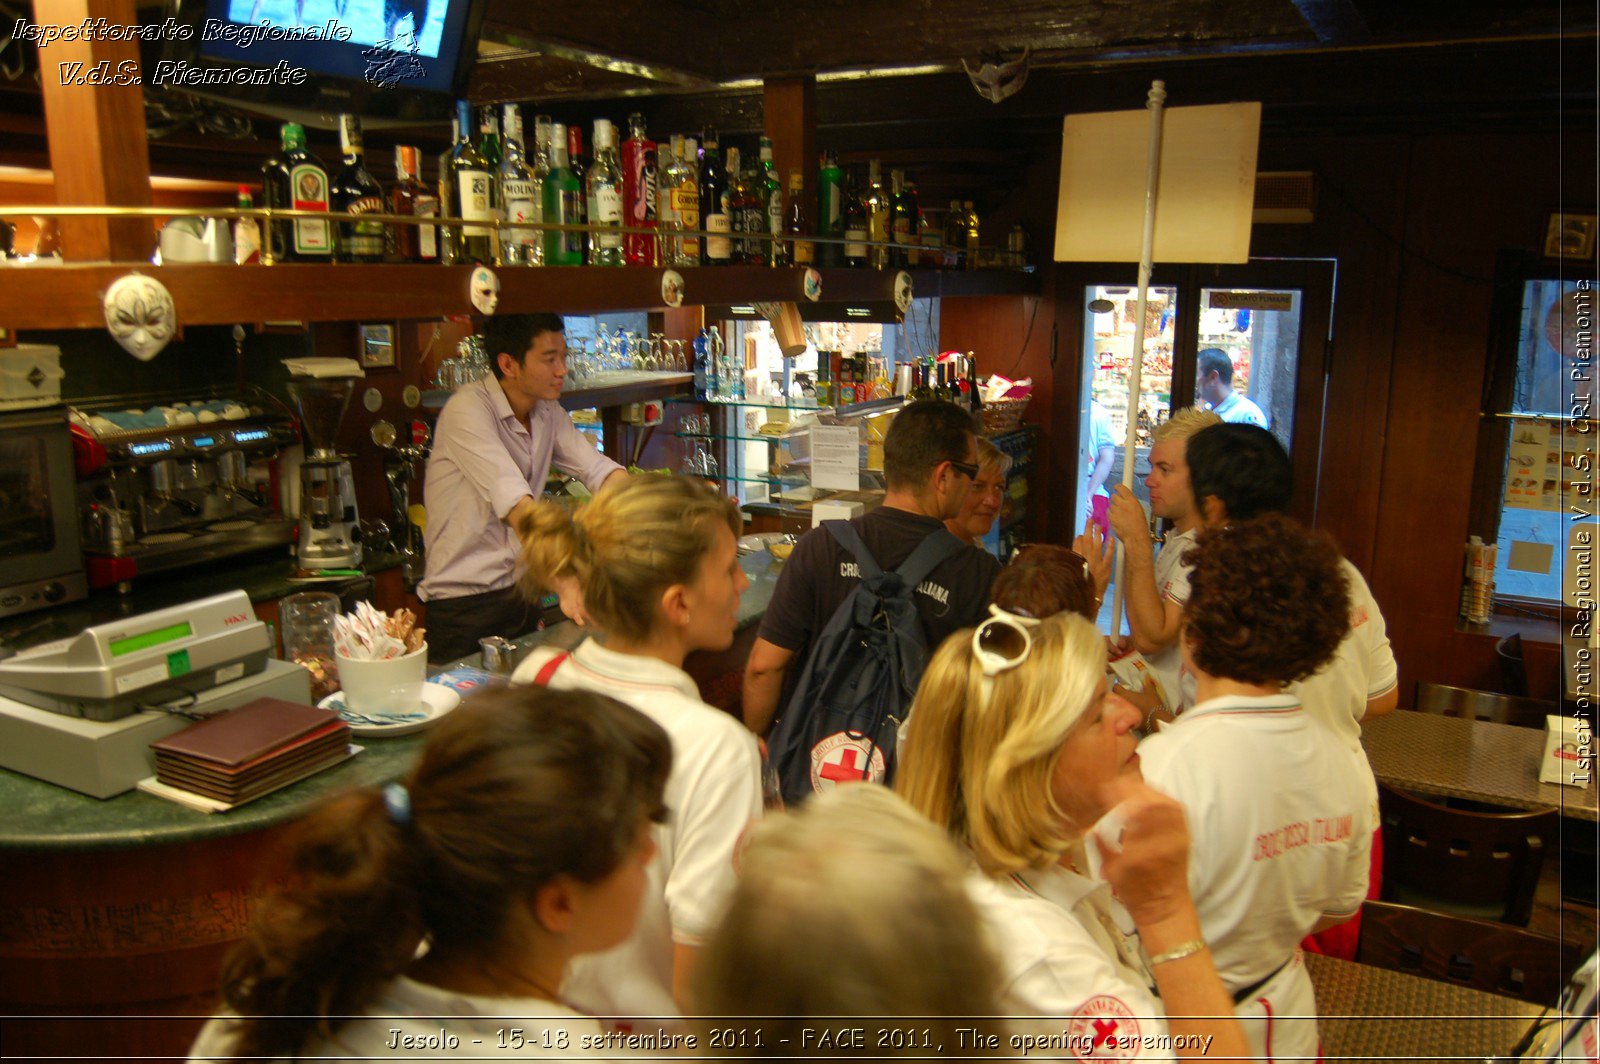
(1018, 753)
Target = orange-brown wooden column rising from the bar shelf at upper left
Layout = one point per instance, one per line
(97, 132)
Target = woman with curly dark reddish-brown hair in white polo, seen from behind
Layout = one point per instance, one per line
(1281, 818)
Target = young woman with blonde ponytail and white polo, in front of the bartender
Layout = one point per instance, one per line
(657, 562)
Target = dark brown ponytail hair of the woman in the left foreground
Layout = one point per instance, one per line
(516, 788)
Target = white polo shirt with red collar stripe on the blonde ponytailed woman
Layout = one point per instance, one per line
(713, 794)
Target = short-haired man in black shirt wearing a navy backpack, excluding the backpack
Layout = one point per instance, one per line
(930, 462)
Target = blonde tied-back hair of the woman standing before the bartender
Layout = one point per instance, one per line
(633, 542)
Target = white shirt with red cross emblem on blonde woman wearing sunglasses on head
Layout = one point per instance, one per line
(1065, 967)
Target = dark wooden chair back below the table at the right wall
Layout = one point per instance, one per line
(1478, 865)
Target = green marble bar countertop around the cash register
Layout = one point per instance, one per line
(46, 817)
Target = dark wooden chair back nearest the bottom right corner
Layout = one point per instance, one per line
(1468, 953)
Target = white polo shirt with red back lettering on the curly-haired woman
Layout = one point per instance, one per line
(1282, 834)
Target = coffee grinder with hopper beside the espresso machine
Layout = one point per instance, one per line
(330, 535)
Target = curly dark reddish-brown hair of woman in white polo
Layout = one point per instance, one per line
(1268, 601)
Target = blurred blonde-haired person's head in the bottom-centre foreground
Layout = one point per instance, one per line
(903, 937)
